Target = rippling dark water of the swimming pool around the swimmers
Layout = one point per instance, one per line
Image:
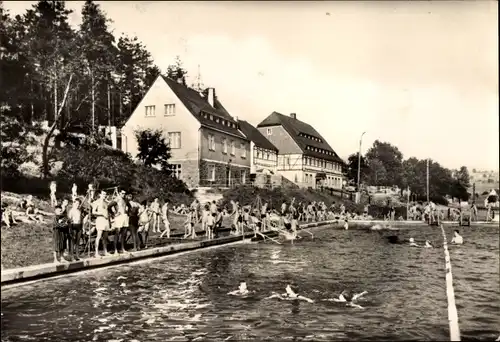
(185, 297)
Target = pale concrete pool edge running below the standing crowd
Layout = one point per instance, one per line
(43, 271)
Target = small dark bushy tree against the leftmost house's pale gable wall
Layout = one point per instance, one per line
(153, 148)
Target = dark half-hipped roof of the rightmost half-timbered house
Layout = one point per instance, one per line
(299, 131)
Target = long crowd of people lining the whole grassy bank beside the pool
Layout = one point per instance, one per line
(86, 222)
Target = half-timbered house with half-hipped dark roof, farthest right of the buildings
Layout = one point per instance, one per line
(304, 156)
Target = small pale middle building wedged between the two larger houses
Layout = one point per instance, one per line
(263, 154)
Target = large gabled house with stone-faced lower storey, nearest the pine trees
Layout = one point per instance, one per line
(207, 147)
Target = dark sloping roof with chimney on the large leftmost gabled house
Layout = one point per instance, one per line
(198, 105)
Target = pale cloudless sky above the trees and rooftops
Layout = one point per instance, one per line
(420, 75)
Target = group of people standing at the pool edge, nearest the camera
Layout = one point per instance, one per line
(117, 214)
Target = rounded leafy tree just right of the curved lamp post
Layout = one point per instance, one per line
(391, 159)
